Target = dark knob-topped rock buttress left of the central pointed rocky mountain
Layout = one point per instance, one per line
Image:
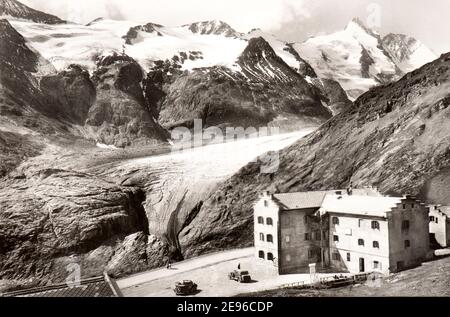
(120, 115)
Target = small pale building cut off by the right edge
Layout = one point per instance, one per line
(440, 225)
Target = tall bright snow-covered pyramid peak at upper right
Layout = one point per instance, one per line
(354, 57)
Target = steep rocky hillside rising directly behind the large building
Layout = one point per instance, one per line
(395, 138)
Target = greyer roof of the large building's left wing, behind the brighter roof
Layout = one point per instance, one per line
(314, 199)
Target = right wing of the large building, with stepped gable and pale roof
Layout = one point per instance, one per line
(383, 234)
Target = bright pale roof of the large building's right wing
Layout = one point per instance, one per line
(359, 205)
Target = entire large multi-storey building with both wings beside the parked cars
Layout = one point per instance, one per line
(356, 231)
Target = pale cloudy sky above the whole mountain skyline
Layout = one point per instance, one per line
(292, 20)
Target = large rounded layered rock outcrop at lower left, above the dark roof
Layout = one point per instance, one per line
(52, 218)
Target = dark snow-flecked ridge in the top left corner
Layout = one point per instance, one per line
(15, 9)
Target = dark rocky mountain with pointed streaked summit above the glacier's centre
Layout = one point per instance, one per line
(265, 91)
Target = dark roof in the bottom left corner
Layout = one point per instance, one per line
(102, 286)
